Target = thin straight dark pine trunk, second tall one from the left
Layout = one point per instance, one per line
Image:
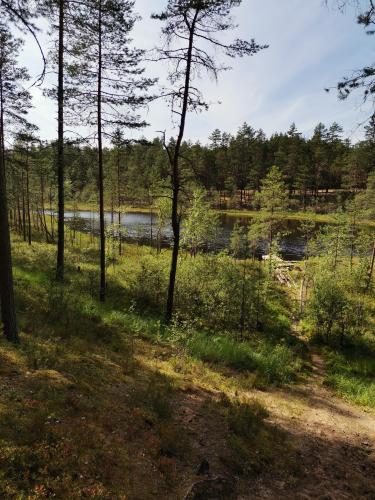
(60, 151)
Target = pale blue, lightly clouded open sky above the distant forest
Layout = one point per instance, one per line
(311, 48)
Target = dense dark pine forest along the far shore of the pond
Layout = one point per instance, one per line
(228, 166)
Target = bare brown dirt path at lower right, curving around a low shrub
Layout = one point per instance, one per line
(332, 443)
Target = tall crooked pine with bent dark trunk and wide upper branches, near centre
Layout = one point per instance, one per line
(190, 28)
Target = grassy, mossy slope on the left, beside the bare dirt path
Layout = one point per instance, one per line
(89, 400)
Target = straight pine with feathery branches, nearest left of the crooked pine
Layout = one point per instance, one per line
(107, 82)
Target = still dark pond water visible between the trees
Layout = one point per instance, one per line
(142, 227)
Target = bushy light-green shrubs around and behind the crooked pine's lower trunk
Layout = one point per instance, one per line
(213, 292)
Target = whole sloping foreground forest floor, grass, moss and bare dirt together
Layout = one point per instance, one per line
(93, 406)
